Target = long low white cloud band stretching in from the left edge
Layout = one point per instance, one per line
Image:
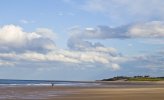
(65, 56)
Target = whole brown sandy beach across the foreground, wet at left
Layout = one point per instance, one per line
(105, 91)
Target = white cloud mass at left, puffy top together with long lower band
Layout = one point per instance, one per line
(19, 46)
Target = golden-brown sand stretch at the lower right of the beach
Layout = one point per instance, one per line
(117, 94)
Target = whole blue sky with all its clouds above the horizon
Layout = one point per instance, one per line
(81, 39)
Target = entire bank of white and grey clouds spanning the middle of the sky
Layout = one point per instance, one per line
(18, 46)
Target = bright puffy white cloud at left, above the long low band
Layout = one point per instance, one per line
(13, 37)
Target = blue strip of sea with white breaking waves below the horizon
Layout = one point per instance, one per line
(12, 82)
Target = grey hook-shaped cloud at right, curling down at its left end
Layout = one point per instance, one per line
(79, 39)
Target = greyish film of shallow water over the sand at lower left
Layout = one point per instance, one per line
(30, 93)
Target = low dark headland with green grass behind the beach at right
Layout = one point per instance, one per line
(134, 78)
